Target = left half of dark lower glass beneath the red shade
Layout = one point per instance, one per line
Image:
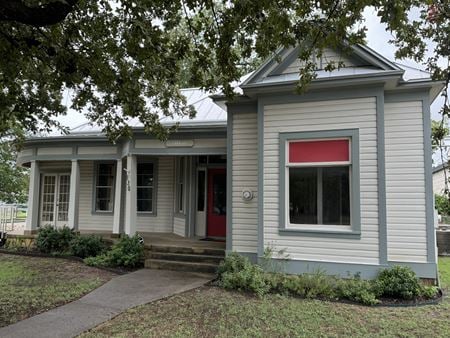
(303, 195)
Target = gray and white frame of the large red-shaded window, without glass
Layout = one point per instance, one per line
(285, 227)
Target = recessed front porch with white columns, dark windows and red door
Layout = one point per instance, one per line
(148, 194)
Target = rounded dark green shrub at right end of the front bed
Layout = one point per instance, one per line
(398, 282)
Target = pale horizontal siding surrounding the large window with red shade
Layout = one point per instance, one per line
(317, 116)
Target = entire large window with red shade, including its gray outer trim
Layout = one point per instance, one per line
(319, 178)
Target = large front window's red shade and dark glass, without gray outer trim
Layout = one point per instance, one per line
(319, 181)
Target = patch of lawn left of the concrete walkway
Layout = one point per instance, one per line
(30, 285)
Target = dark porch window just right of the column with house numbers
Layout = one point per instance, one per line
(145, 187)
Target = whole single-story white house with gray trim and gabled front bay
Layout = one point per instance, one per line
(328, 176)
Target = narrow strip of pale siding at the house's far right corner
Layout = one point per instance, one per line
(405, 182)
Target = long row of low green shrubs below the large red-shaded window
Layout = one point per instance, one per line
(238, 273)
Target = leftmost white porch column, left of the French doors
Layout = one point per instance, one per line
(33, 199)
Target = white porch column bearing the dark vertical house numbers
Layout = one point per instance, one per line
(130, 200)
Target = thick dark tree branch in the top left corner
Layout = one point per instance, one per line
(43, 15)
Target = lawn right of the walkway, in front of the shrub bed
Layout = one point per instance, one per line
(213, 312)
